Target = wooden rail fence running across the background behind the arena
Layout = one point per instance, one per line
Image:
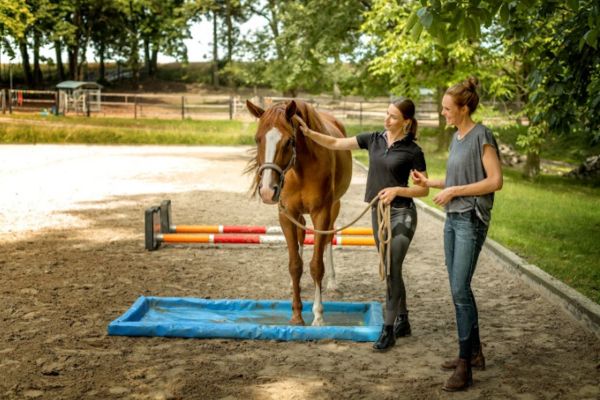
(196, 106)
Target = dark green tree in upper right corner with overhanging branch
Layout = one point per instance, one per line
(561, 65)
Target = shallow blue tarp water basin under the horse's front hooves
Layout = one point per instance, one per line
(246, 319)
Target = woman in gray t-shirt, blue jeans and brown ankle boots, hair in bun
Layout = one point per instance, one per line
(473, 174)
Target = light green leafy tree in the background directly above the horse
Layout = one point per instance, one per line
(307, 41)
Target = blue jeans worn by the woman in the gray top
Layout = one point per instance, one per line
(464, 234)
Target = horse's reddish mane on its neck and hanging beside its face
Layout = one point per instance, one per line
(309, 115)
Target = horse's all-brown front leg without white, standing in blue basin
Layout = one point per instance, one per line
(294, 265)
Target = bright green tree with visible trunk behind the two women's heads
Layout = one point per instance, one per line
(425, 61)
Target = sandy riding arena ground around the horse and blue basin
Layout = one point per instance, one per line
(72, 260)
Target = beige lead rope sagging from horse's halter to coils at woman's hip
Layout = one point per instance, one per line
(384, 233)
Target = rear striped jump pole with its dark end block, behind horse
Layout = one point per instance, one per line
(168, 227)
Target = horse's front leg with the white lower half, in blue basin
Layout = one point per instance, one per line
(322, 221)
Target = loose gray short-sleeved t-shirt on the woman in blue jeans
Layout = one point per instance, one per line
(465, 166)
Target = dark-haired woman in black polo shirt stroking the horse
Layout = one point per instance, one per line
(393, 153)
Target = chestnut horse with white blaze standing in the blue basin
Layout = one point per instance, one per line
(307, 179)
